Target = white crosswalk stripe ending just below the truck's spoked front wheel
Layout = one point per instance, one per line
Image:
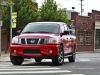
(27, 69)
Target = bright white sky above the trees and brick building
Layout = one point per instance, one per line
(88, 5)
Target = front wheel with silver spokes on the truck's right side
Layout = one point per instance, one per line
(58, 60)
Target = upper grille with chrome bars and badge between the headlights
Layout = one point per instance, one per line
(33, 41)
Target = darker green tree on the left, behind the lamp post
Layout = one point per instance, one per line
(26, 12)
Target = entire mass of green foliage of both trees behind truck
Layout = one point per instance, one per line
(27, 12)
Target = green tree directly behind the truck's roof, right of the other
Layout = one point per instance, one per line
(49, 11)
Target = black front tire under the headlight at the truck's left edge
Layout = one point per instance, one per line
(16, 60)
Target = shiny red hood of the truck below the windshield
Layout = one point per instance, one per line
(36, 35)
